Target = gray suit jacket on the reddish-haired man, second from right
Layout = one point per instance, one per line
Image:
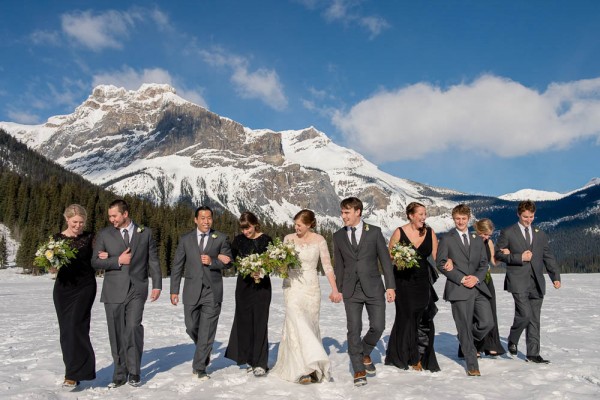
(473, 262)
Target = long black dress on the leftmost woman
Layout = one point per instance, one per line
(74, 294)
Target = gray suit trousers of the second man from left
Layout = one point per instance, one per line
(201, 321)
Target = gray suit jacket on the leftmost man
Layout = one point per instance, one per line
(117, 278)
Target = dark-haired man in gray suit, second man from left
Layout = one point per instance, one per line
(204, 253)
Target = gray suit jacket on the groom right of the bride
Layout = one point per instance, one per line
(351, 266)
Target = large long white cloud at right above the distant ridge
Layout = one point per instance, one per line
(490, 115)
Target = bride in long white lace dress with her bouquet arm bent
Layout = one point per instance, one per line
(301, 357)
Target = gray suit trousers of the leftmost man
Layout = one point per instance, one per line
(126, 334)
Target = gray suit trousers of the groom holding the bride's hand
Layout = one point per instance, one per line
(375, 306)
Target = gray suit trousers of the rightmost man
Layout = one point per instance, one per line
(528, 310)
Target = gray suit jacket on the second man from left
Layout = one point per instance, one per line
(188, 256)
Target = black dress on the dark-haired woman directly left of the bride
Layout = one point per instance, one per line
(248, 342)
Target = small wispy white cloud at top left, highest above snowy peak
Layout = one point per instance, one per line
(99, 31)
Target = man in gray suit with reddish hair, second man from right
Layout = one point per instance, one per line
(471, 308)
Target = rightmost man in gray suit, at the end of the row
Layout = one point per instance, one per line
(526, 252)
